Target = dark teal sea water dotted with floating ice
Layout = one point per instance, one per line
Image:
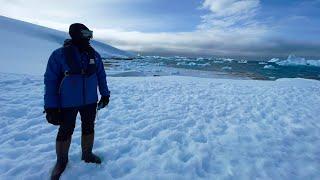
(292, 67)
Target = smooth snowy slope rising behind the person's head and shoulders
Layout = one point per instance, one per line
(25, 47)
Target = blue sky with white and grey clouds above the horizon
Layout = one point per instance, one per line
(186, 27)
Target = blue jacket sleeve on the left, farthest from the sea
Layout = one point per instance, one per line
(52, 82)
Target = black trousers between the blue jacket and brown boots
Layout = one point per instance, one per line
(69, 116)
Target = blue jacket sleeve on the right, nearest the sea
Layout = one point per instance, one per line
(101, 75)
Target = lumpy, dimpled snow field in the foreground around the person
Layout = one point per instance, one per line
(172, 128)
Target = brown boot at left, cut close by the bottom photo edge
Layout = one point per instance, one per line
(62, 150)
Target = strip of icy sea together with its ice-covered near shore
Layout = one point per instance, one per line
(213, 67)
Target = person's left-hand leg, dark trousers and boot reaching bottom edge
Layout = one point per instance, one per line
(63, 141)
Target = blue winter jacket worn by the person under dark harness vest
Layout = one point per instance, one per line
(74, 90)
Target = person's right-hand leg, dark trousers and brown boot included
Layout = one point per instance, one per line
(88, 115)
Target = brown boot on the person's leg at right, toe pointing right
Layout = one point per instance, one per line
(86, 145)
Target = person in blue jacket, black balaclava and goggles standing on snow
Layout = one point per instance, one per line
(71, 79)
